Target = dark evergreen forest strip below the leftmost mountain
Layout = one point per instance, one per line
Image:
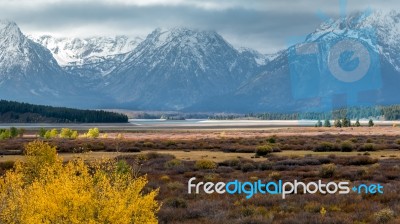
(11, 111)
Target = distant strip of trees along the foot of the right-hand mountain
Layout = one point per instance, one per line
(386, 112)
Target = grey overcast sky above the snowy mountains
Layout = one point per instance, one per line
(265, 25)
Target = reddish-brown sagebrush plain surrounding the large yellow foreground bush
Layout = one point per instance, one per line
(170, 158)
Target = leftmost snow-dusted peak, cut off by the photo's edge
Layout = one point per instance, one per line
(28, 72)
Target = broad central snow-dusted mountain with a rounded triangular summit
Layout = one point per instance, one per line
(173, 69)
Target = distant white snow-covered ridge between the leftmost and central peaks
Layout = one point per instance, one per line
(90, 58)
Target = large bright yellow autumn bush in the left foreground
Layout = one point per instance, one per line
(44, 190)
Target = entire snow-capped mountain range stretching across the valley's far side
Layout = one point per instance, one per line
(195, 70)
